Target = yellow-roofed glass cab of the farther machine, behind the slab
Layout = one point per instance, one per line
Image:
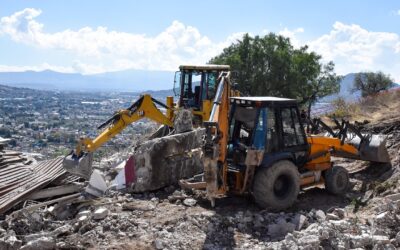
(196, 84)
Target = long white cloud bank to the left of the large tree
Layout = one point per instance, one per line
(99, 49)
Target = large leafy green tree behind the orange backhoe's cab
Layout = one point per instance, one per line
(271, 66)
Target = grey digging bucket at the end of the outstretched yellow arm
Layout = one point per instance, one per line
(79, 166)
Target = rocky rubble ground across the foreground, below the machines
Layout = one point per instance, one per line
(177, 220)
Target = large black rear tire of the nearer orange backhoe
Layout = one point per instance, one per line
(277, 187)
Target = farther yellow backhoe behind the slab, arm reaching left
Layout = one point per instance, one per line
(196, 87)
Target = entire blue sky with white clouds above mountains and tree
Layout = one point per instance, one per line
(92, 37)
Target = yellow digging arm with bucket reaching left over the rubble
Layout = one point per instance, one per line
(79, 162)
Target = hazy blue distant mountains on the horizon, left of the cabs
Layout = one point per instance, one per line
(129, 80)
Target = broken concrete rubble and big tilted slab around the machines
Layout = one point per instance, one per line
(153, 213)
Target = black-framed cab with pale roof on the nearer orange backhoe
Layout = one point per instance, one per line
(268, 124)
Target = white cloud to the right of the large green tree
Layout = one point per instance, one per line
(354, 49)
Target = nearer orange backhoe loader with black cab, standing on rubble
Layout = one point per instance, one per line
(258, 146)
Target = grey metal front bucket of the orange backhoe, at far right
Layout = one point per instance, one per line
(371, 149)
